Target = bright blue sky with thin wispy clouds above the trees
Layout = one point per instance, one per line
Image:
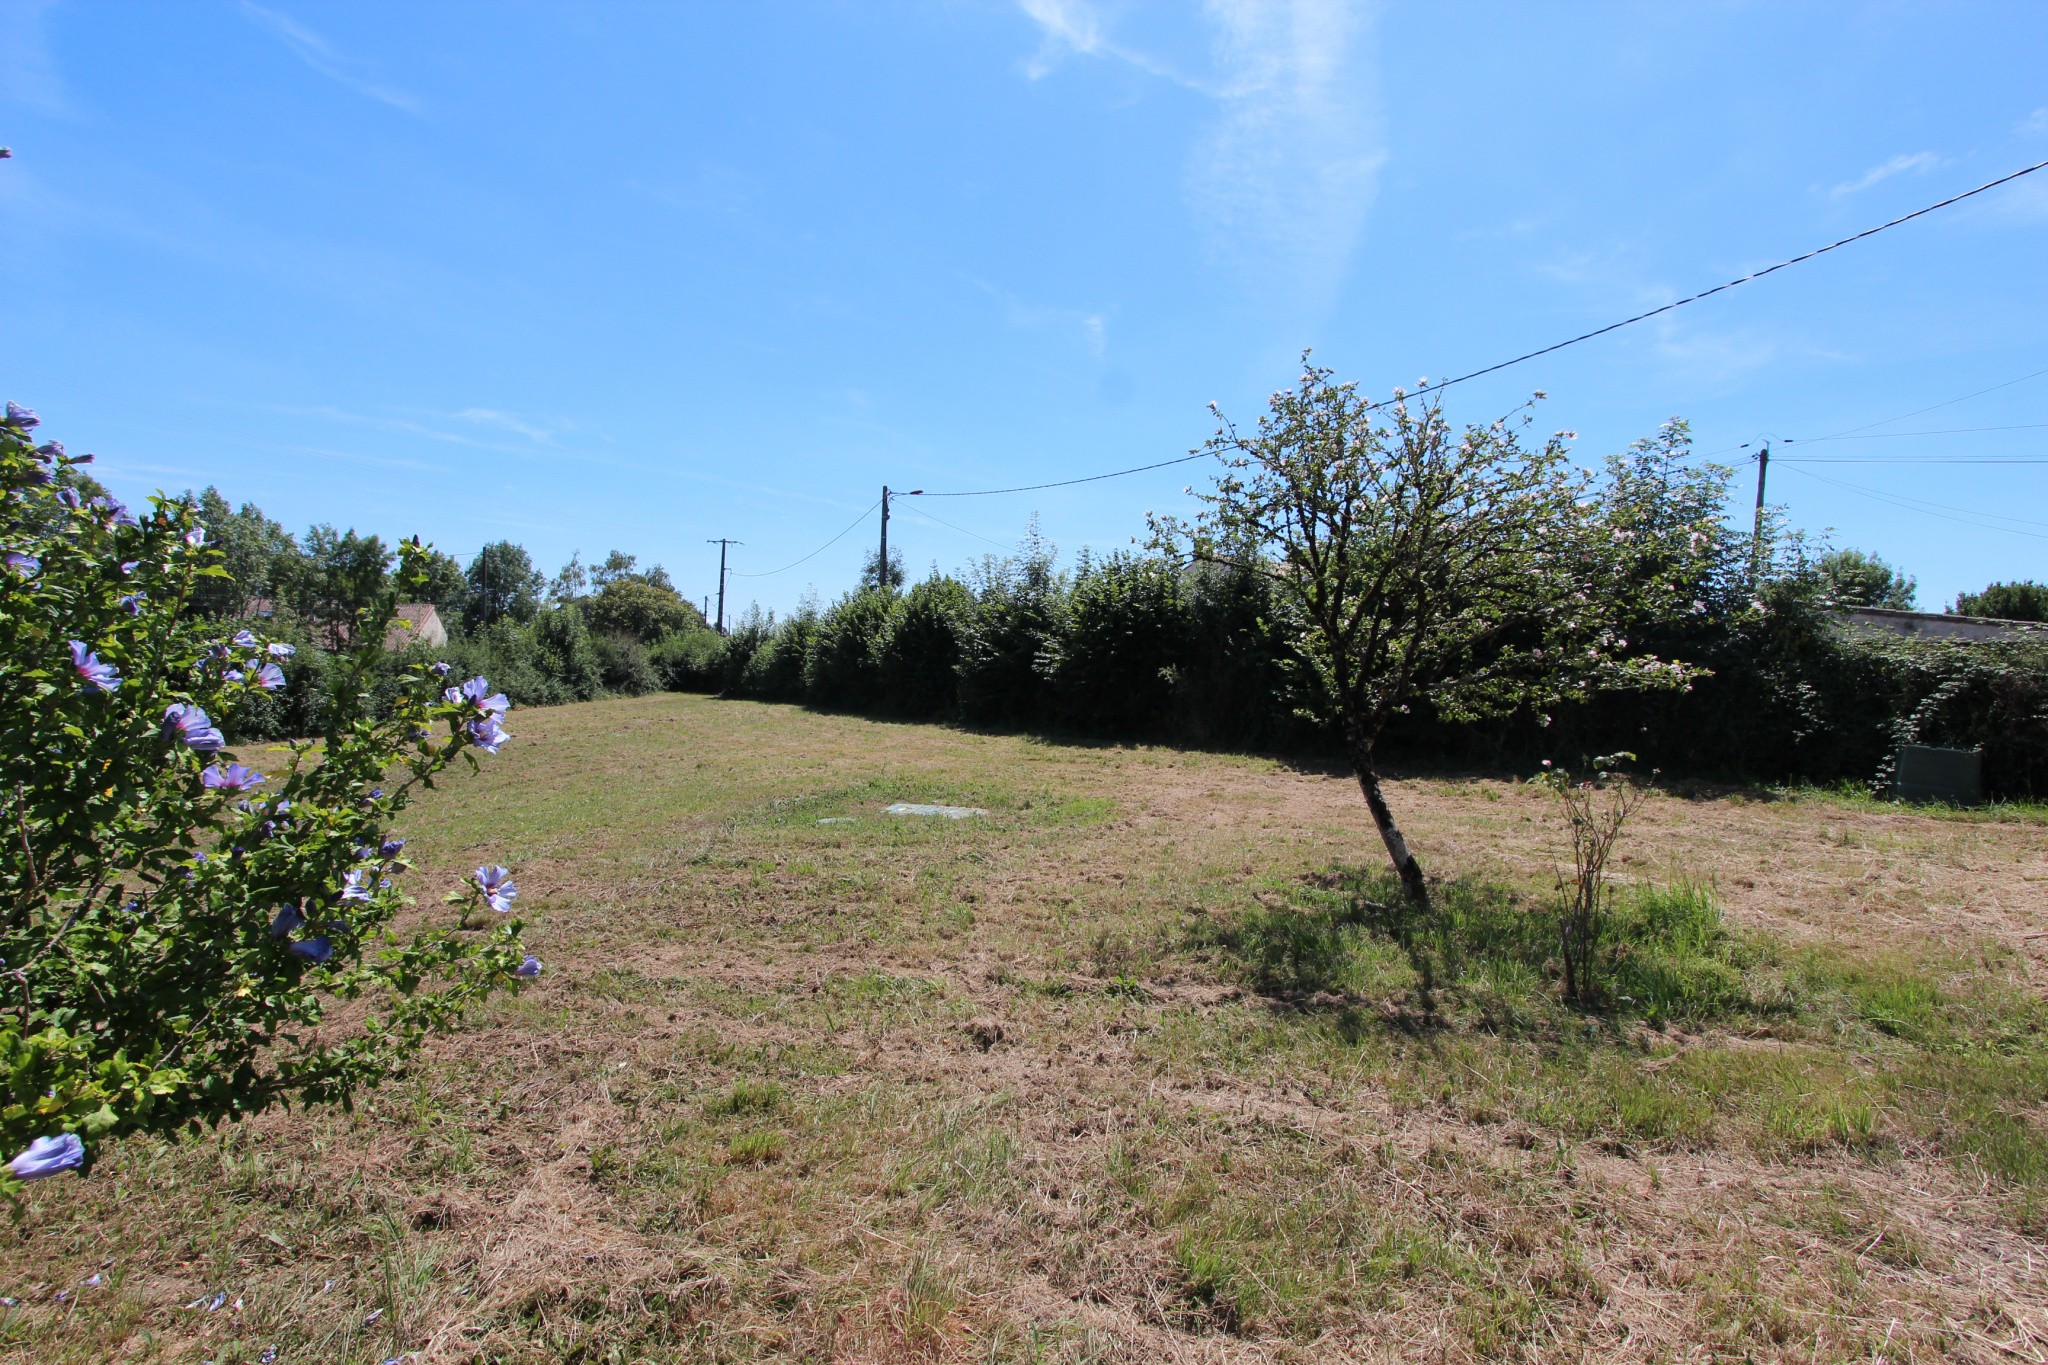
(640, 275)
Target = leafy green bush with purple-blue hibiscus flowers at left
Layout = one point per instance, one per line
(177, 926)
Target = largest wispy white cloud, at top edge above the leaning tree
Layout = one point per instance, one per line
(1287, 173)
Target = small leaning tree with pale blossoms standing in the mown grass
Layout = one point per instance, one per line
(1424, 566)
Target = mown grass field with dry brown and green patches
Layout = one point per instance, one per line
(1136, 1067)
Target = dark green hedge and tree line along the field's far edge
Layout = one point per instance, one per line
(1152, 646)
